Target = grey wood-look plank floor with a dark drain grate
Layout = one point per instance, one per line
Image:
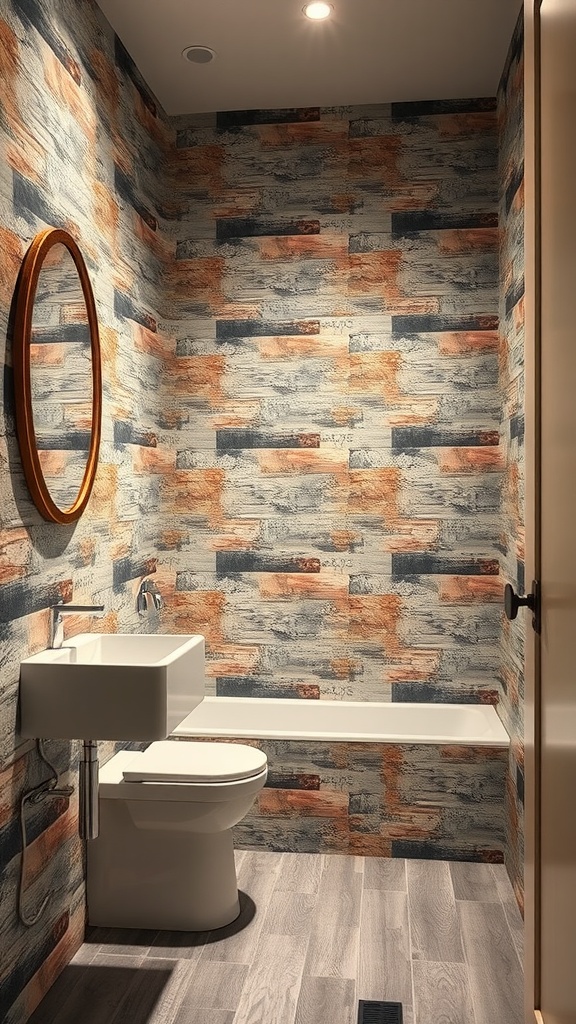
(320, 933)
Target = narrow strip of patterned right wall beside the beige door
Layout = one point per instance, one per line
(511, 98)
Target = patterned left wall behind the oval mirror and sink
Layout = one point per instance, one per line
(83, 146)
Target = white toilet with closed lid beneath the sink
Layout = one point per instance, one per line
(164, 858)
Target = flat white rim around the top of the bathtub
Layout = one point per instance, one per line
(501, 740)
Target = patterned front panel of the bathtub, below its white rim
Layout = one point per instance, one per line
(442, 802)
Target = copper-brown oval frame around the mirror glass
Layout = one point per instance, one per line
(26, 293)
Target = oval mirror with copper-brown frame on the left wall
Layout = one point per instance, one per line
(58, 377)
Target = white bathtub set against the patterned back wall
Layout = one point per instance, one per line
(269, 718)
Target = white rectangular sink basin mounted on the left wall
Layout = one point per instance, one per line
(112, 687)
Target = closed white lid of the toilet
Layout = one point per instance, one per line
(172, 761)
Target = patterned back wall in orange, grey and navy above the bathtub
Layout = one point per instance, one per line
(333, 521)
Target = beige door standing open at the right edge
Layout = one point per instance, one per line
(555, 919)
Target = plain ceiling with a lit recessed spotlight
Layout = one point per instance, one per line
(270, 56)
